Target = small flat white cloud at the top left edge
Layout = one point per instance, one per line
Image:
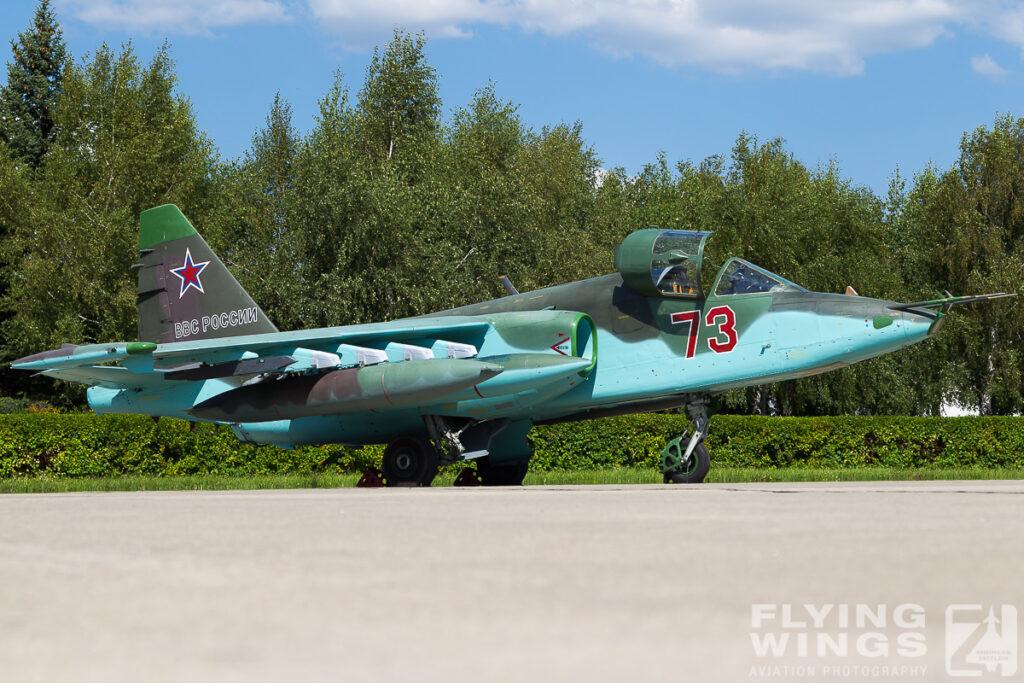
(191, 17)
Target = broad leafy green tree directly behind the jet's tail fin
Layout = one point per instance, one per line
(126, 142)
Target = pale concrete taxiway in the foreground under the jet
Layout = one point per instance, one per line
(568, 584)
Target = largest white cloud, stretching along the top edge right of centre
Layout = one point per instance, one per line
(832, 36)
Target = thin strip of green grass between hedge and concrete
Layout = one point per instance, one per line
(607, 478)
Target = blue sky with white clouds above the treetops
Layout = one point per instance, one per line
(874, 84)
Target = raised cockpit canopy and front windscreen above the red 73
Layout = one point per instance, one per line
(670, 264)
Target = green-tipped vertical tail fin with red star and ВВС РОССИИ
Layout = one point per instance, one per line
(185, 292)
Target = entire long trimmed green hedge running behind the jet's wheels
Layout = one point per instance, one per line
(104, 446)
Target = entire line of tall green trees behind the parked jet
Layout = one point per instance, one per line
(390, 208)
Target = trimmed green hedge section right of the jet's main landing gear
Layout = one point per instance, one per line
(738, 441)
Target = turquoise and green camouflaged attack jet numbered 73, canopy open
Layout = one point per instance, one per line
(470, 383)
